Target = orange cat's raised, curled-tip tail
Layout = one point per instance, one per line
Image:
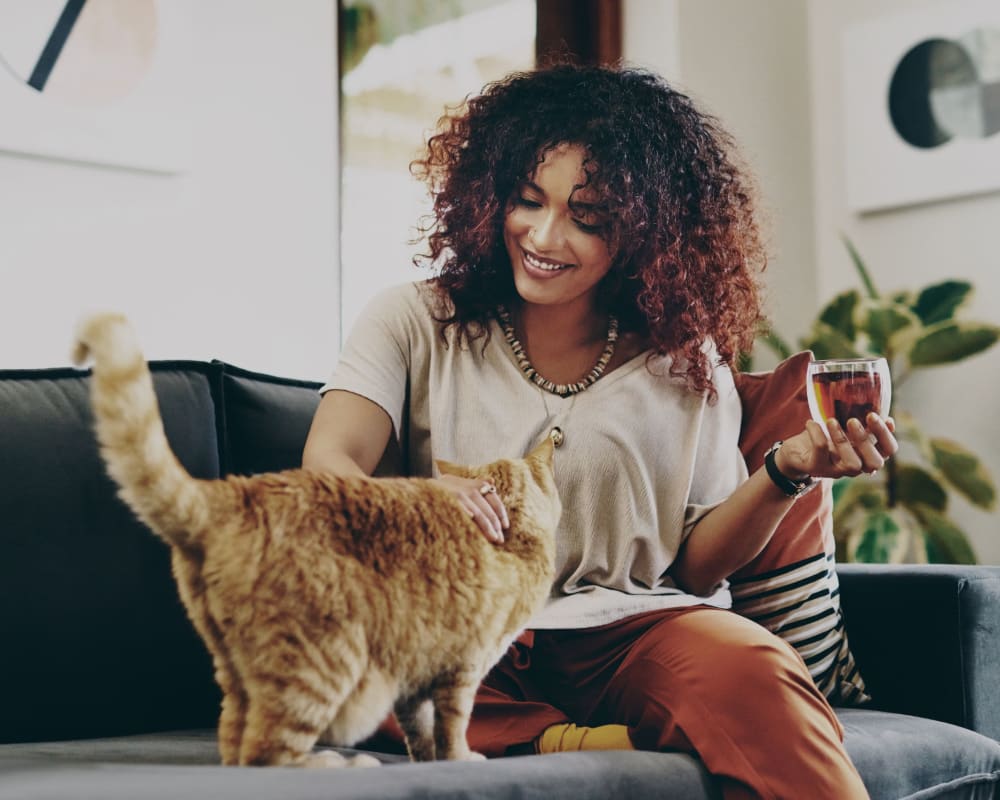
(130, 431)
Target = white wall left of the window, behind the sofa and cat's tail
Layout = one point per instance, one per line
(236, 258)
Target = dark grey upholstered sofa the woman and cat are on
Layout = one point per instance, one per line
(107, 692)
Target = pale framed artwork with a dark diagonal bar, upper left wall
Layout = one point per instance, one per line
(97, 81)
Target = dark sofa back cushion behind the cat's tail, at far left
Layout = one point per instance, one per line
(101, 644)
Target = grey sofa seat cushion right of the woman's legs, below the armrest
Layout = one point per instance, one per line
(911, 758)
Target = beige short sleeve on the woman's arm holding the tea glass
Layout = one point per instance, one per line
(719, 466)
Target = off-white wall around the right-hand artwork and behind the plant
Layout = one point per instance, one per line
(908, 248)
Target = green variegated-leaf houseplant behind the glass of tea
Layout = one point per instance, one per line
(901, 513)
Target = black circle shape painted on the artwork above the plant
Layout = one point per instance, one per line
(932, 64)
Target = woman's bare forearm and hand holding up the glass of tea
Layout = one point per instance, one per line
(735, 531)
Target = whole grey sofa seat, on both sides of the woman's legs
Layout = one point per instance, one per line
(899, 757)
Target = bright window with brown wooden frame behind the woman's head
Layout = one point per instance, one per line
(401, 64)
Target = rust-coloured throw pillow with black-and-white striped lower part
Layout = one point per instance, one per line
(791, 586)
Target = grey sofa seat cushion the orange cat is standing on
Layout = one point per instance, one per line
(168, 766)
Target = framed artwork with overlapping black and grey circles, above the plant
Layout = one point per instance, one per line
(922, 105)
